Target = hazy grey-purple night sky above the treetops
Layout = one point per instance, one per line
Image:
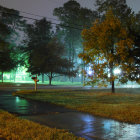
(45, 7)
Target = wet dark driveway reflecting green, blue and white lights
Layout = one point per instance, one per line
(81, 124)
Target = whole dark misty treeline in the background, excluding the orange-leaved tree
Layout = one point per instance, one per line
(52, 52)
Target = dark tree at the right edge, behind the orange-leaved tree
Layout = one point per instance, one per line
(131, 21)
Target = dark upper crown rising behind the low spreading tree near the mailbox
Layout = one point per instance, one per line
(38, 33)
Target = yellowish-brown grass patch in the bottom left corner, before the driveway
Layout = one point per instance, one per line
(13, 128)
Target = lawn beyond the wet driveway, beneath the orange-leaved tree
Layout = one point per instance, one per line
(119, 106)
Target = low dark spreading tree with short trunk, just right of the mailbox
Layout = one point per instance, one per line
(49, 60)
